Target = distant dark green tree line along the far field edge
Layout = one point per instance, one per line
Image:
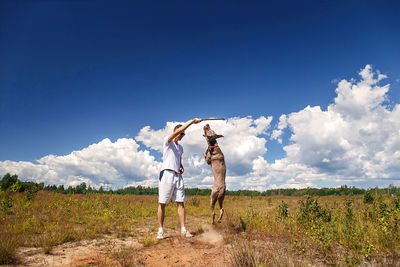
(12, 183)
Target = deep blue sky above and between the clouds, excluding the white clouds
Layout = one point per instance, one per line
(73, 73)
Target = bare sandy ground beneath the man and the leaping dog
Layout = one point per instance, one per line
(204, 249)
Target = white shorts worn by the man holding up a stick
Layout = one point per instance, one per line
(171, 185)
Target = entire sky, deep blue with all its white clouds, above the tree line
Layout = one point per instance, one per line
(310, 91)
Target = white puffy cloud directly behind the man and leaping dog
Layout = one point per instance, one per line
(244, 141)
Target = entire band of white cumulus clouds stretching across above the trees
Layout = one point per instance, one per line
(355, 141)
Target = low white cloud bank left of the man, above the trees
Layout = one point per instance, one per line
(115, 163)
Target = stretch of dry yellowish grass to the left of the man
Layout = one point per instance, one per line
(50, 219)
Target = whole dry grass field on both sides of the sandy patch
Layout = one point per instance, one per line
(258, 231)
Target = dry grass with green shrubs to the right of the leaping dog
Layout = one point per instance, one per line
(317, 231)
